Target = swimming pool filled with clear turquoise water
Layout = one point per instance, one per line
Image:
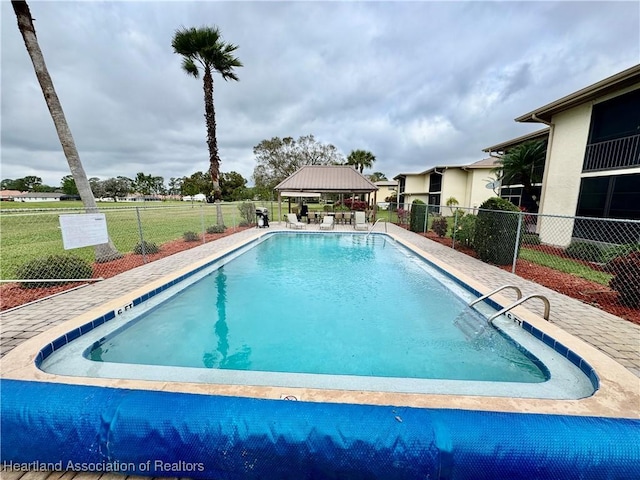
(323, 310)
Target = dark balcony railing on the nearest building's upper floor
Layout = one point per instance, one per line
(619, 153)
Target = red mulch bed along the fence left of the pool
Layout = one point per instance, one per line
(12, 295)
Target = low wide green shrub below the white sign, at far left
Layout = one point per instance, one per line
(53, 267)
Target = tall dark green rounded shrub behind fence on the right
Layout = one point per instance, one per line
(496, 231)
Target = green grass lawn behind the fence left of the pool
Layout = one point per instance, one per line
(35, 232)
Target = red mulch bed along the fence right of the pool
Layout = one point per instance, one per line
(600, 296)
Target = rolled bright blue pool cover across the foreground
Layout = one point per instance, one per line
(199, 436)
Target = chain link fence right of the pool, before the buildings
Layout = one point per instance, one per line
(595, 260)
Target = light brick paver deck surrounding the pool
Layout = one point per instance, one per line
(616, 337)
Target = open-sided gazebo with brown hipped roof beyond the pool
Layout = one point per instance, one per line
(314, 180)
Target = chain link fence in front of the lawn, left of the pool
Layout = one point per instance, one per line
(34, 263)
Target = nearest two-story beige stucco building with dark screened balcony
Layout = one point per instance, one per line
(592, 166)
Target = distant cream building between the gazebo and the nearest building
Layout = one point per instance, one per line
(470, 185)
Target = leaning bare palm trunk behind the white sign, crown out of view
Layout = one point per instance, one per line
(104, 252)
